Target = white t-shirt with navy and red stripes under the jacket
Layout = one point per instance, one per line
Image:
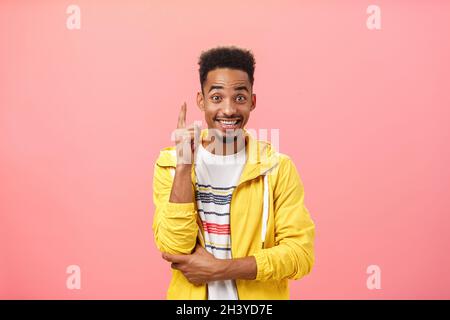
(217, 177)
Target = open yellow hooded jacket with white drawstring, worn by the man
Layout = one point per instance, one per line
(266, 204)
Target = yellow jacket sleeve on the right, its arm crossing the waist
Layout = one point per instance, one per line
(292, 257)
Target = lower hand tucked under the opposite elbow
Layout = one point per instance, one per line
(198, 268)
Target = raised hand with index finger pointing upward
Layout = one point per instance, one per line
(186, 139)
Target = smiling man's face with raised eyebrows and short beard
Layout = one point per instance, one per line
(227, 101)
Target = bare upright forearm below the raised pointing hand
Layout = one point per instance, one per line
(182, 185)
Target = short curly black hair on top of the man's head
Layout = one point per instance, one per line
(226, 57)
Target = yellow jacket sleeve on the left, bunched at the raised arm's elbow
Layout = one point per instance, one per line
(174, 224)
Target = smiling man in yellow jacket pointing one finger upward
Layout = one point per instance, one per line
(229, 215)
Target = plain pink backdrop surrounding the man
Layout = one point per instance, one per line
(84, 113)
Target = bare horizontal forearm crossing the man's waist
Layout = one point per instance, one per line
(240, 268)
